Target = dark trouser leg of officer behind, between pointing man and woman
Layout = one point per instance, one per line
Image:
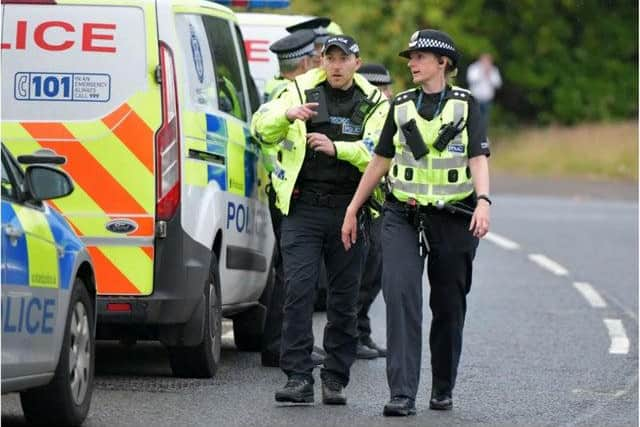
(371, 277)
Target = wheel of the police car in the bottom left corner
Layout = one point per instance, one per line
(66, 399)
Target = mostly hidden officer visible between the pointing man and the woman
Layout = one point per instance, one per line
(379, 76)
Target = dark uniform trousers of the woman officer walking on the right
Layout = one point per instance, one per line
(449, 268)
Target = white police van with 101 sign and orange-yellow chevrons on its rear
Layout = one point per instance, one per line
(150, 102)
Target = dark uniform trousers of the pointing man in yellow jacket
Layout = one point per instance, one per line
(309, 232)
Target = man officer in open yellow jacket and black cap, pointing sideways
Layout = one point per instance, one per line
(327, 119)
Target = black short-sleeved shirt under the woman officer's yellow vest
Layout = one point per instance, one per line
(478, 142)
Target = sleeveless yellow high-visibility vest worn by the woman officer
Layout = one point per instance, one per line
(438, 176)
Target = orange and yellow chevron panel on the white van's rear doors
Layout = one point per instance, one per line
(112, 163)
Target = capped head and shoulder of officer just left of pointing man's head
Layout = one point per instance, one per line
(295, 54)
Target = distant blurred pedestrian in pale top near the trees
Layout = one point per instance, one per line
(484, 78)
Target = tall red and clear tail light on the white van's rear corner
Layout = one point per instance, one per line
(168, 141)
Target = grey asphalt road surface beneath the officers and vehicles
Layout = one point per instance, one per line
(536, 352)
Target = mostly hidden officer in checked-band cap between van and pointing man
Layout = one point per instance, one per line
(294, 58)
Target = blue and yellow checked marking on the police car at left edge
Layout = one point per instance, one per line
(33, 260)
